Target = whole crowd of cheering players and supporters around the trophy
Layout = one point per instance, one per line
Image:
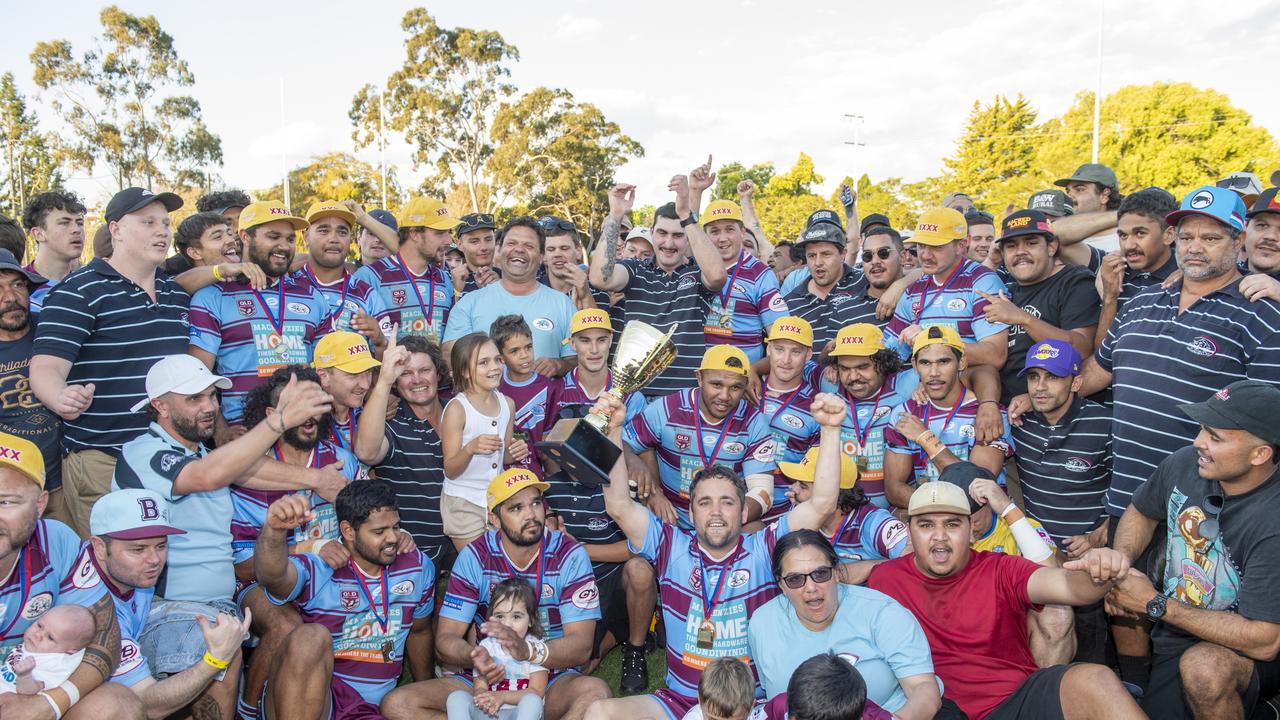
(298, 466)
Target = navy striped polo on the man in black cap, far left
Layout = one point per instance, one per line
(112, 332)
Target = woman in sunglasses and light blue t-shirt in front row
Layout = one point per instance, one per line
(817, 614)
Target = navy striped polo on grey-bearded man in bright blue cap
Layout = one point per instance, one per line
(1162, 359)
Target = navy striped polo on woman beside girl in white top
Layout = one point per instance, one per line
(415, 470)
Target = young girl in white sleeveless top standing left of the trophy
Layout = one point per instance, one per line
(476, 436)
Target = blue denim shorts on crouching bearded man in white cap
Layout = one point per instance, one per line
(172, 640)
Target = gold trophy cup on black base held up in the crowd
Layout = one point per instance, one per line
(580, 445)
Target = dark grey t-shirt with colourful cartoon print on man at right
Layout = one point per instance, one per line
(1238, 571)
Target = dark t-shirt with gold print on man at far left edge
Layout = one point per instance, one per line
(25, 417)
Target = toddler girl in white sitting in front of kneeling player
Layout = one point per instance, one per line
(519, 696)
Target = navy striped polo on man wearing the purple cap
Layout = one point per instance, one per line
(1066, 470)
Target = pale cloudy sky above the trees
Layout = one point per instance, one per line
(749, 80)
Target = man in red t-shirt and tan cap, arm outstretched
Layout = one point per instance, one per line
(973, 609)
